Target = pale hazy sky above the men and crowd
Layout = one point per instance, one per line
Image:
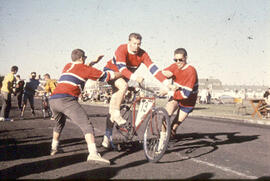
(228, 40)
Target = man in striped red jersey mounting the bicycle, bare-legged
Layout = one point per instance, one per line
(127, 59)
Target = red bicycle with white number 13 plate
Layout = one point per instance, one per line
(156, 120)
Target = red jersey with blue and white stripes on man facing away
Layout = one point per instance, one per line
(73, 78)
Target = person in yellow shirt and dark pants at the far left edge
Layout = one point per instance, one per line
(6, 91)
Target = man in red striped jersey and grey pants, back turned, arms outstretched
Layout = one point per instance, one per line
(64, 101)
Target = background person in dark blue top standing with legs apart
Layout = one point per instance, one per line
(29, 92)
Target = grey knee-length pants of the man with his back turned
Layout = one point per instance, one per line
(68, 107)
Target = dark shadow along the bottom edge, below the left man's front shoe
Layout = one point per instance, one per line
(104, 172)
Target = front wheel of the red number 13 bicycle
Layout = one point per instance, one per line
(156, 135)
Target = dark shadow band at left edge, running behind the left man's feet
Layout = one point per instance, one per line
(31, 147)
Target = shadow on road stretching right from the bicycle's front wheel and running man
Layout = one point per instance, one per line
(198, 144)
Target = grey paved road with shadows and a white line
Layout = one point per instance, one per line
(206, 149)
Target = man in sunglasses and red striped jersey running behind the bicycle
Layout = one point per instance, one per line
(184, 89)
